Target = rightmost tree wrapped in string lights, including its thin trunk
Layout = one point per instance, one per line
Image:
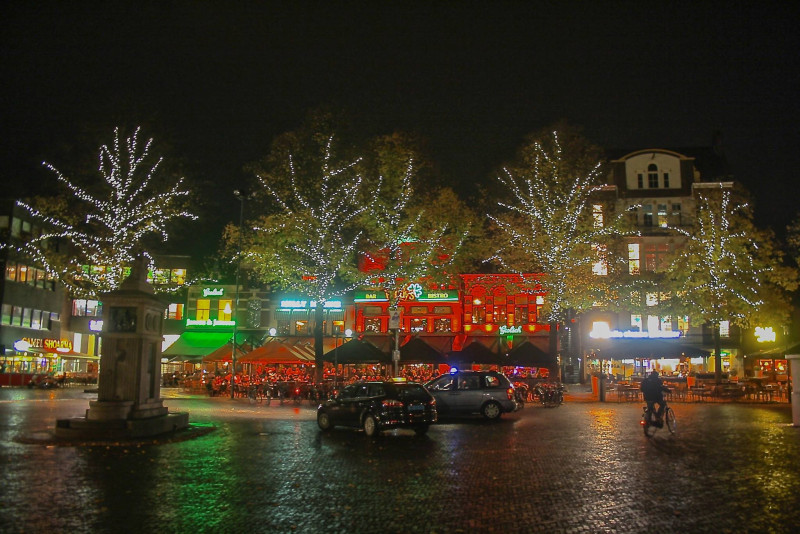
(728, 269)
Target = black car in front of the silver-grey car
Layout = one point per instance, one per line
(378, 406)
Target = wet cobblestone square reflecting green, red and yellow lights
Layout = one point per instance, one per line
(582, 467)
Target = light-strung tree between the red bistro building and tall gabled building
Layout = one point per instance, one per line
(557, 223)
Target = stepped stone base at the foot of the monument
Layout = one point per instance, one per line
(108, 420)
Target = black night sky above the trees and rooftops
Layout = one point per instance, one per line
(217, 83)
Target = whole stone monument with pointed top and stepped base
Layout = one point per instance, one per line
(128, 401)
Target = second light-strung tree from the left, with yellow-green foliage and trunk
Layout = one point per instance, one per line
(308, 242)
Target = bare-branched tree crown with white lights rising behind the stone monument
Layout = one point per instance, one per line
(91, 241)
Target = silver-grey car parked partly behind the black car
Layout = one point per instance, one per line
(487, 393)
